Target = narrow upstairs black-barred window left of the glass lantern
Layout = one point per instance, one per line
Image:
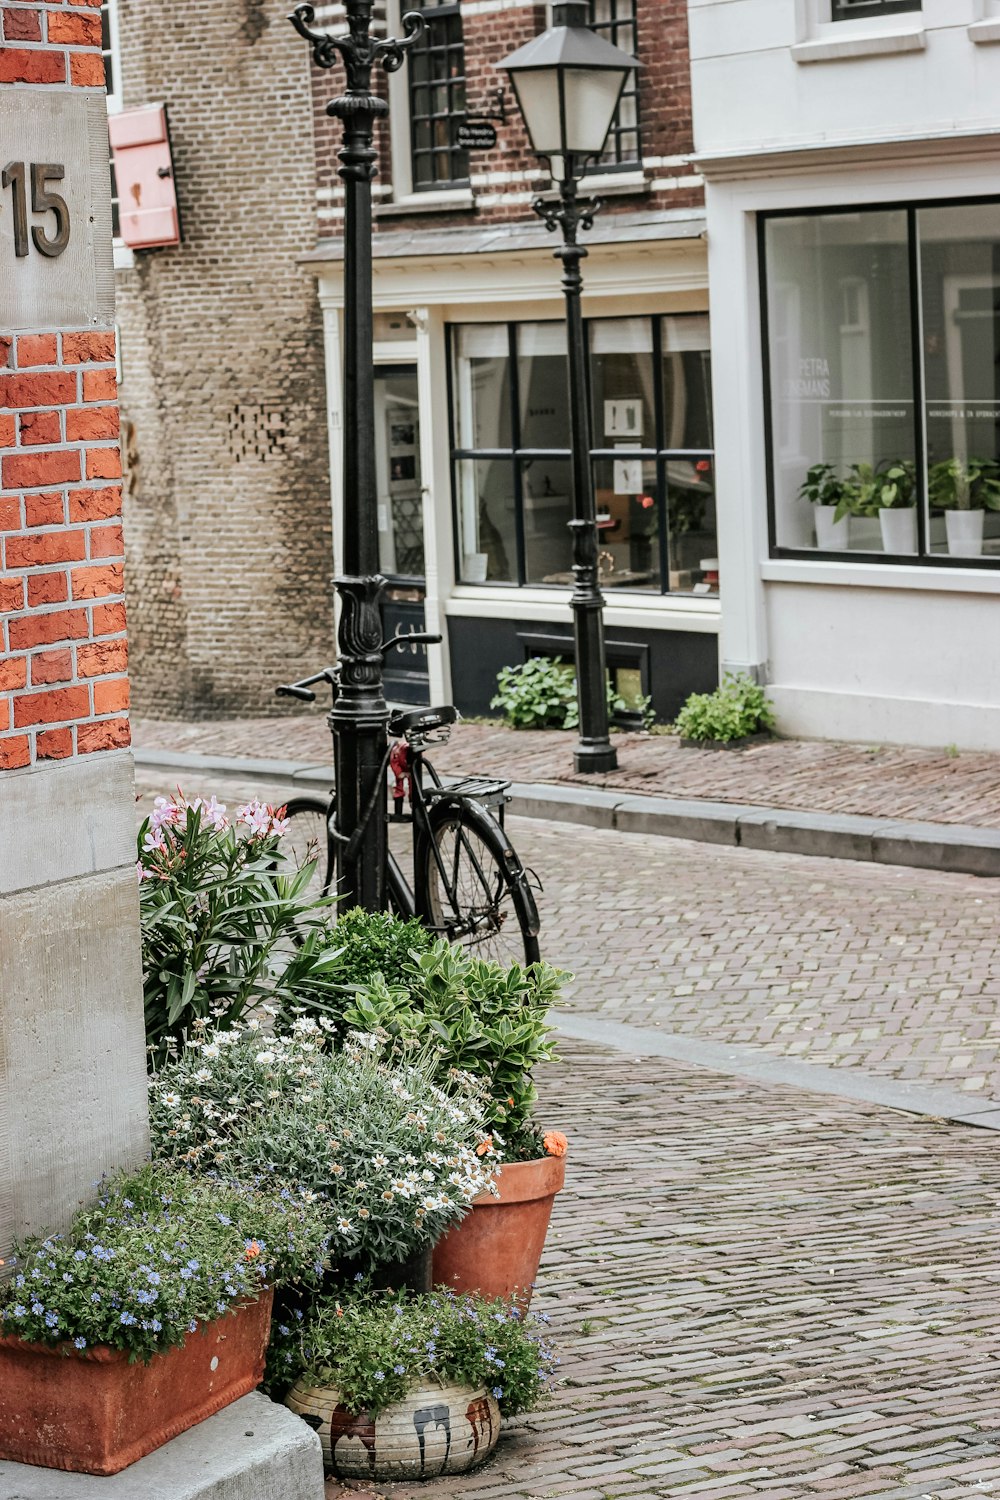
(437, 100)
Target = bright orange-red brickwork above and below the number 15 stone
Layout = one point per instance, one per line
(64, 686)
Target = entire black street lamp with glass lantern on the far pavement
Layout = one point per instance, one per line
(569, 83)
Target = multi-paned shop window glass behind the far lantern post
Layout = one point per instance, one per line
(651, 454)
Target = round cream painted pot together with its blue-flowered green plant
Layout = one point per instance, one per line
(409, 1388)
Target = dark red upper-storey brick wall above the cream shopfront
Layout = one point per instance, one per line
(665, 106)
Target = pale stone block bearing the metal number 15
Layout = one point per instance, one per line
(56, 266)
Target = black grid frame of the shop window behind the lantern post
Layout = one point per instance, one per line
(660, 454)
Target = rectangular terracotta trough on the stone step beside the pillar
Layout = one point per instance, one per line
(92, 1412)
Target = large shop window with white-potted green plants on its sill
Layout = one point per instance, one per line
(884, 349)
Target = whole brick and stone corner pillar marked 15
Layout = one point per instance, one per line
(73, 1079)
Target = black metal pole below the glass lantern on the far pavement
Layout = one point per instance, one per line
(594, 751)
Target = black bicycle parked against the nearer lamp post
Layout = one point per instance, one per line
(469, 884)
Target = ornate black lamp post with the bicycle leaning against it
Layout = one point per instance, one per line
(359, 718)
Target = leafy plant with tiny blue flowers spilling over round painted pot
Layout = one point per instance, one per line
(376, 1348)
